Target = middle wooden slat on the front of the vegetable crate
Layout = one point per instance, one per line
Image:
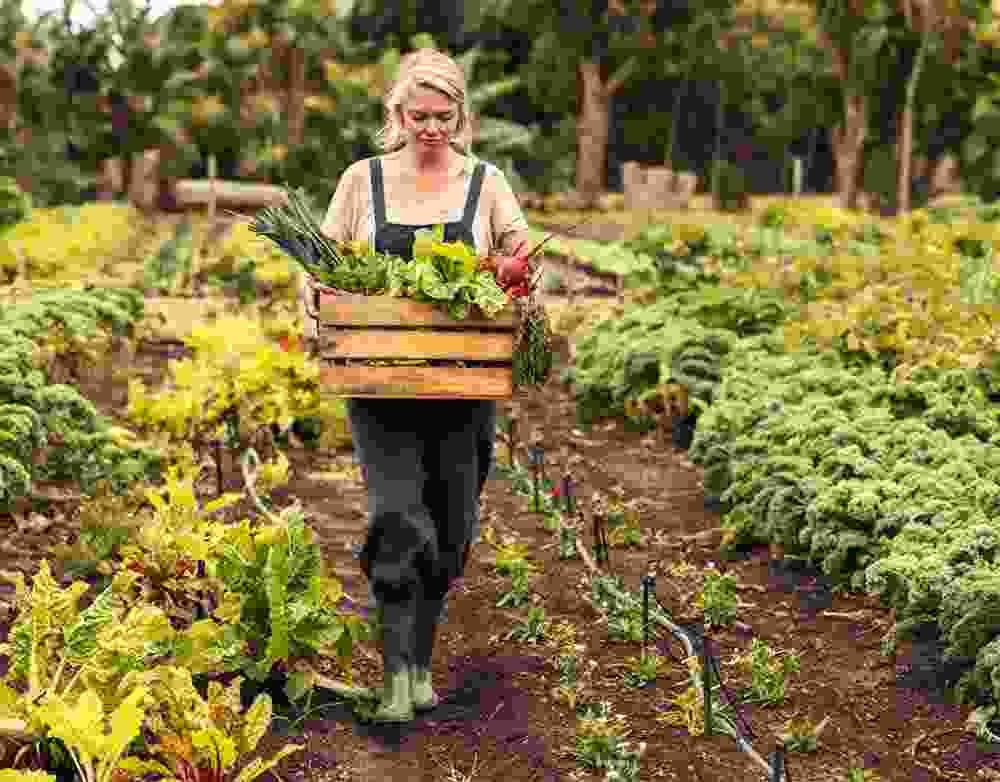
(416, 344)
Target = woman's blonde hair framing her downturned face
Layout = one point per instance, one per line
(425, 67)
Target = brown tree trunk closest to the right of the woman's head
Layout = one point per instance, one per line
(591, 131)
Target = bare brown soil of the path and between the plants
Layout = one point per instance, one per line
(499, 721)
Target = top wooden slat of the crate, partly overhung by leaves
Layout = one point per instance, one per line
(355, 309)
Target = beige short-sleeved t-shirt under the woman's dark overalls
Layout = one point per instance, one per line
(351, 213)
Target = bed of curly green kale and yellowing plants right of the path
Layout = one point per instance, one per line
(842, 388)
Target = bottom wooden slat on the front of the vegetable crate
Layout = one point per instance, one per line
(418, 382)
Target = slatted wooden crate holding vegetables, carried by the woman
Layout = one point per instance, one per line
(352, 328)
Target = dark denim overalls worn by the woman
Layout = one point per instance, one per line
(425, 462)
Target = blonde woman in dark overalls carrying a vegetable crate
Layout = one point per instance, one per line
(425, 461)
